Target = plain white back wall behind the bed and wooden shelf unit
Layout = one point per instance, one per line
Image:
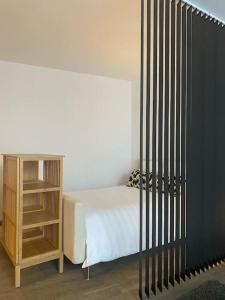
(87, 118)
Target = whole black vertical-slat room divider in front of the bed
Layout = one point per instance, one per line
(185, 124)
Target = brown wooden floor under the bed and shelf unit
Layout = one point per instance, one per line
(115, 280)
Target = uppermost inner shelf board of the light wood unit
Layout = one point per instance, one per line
(30, 187)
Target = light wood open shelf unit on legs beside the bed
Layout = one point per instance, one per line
(32, 210)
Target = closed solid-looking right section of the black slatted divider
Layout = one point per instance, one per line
(205, 176)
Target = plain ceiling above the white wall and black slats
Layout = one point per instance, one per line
(89, 36)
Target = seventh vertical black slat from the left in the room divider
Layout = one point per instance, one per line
(178, 140)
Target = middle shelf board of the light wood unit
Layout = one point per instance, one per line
(38, 218)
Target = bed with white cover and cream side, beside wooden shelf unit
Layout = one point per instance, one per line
(101, 225)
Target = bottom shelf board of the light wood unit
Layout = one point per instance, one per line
(37, 247)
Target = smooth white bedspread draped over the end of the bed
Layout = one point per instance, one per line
(111, 222)
